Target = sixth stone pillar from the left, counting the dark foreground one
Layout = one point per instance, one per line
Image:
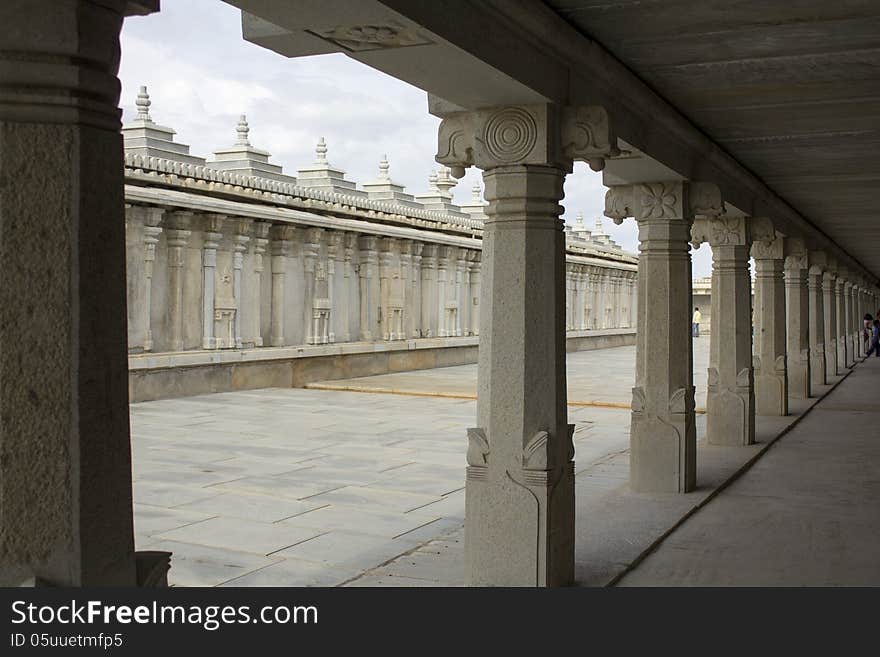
(797, 316)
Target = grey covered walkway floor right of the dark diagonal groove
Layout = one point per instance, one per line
(807, 513)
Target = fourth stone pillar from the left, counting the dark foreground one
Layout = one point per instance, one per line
(730, 401)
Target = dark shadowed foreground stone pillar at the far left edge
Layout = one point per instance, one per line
(65, 455)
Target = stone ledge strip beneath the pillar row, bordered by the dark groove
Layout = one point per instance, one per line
(615, 528)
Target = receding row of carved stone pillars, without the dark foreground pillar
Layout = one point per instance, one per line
(520, 482)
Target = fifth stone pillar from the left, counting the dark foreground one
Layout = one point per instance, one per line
(771, 372)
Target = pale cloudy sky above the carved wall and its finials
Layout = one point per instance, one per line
(201, 75)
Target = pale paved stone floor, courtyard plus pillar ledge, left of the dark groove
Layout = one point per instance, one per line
(333, 487)
